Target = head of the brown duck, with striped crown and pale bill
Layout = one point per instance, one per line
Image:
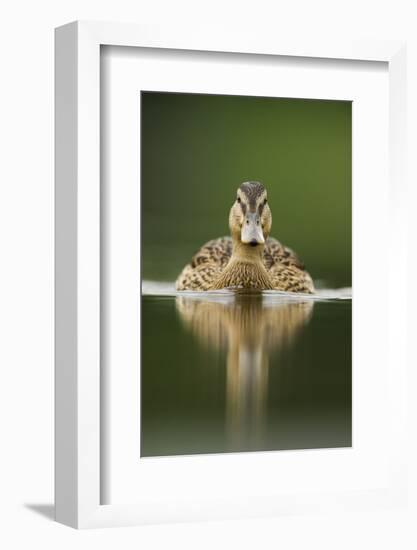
(250, 217)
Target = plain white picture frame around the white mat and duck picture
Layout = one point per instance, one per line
(78, 404)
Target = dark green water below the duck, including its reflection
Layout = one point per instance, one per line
(244, 372)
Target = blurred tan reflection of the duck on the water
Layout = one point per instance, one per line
(248, 327)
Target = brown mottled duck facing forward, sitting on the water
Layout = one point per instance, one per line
(249, 258)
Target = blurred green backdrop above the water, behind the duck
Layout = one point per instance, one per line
(197, 149)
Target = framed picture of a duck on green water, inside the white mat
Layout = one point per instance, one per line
(246, 274)
